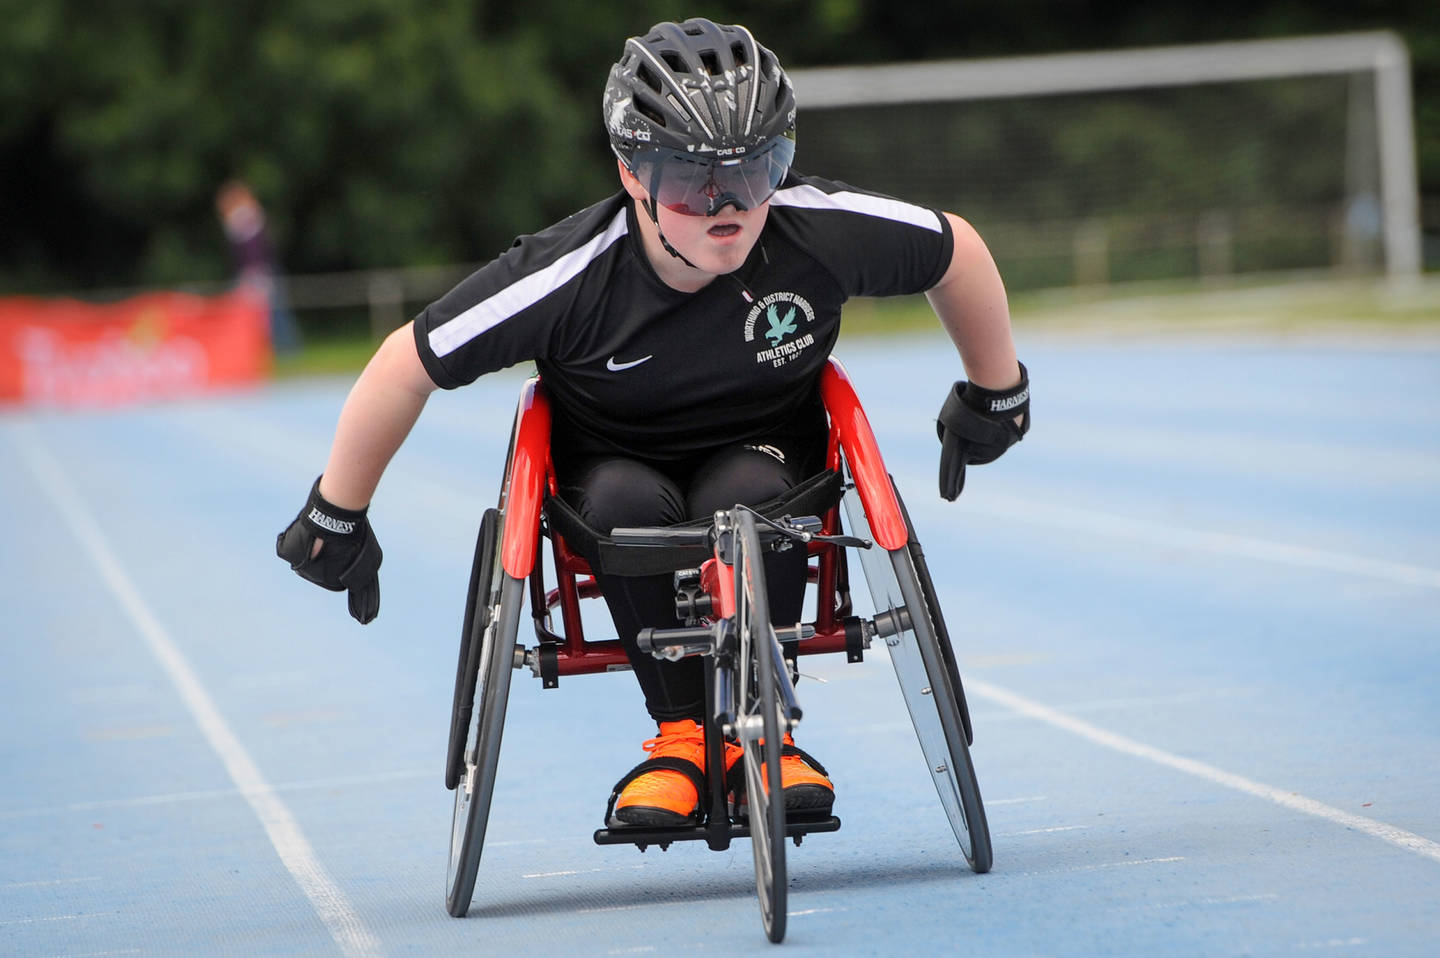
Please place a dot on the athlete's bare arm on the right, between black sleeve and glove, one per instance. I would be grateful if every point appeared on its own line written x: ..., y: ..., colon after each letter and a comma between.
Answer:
x: 973, y: 308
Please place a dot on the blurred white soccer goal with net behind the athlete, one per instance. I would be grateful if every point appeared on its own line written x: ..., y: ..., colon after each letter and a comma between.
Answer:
x: 1202, y: 161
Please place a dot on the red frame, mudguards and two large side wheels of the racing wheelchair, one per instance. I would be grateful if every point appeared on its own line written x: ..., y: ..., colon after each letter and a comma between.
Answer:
x: 509, y: 564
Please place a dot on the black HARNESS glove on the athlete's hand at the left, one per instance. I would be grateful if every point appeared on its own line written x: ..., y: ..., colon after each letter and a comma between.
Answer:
x: 349, y: 558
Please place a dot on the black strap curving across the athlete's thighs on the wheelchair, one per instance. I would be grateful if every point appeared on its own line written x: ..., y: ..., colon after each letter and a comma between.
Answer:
x: 811, y: 498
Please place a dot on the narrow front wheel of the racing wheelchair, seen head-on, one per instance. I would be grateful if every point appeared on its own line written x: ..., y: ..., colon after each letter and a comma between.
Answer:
x: 758, y: 720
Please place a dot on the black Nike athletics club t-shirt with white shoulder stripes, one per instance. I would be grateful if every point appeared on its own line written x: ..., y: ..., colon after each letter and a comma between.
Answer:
x: 640, y: 370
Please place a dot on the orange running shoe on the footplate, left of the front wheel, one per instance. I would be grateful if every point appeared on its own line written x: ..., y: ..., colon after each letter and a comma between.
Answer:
x: 666, y: 789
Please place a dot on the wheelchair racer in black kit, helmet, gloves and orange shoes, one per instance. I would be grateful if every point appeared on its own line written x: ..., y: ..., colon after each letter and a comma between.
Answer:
x: 680, y: 328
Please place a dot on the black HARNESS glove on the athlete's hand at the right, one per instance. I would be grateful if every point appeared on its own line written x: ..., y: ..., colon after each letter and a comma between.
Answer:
x: 977, y: 426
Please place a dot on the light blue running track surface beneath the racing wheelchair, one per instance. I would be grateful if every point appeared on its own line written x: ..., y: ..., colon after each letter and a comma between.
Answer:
x: 1197, y: 610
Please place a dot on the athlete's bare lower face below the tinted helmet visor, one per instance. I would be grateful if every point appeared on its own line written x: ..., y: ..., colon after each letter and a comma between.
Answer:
x: 716, y: 244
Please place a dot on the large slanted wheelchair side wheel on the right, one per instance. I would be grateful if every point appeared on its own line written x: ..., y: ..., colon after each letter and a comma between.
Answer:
x: 930, y: 682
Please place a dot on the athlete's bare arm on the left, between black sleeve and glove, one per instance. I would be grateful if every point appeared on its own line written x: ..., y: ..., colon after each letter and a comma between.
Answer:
x: 378, y: 417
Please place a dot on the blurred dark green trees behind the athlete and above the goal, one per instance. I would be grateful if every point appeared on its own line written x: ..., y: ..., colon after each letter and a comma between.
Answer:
x: 385, y: 133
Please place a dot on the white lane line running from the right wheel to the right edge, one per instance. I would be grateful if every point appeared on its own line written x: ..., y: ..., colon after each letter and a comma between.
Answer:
x: 1294, y: 802
